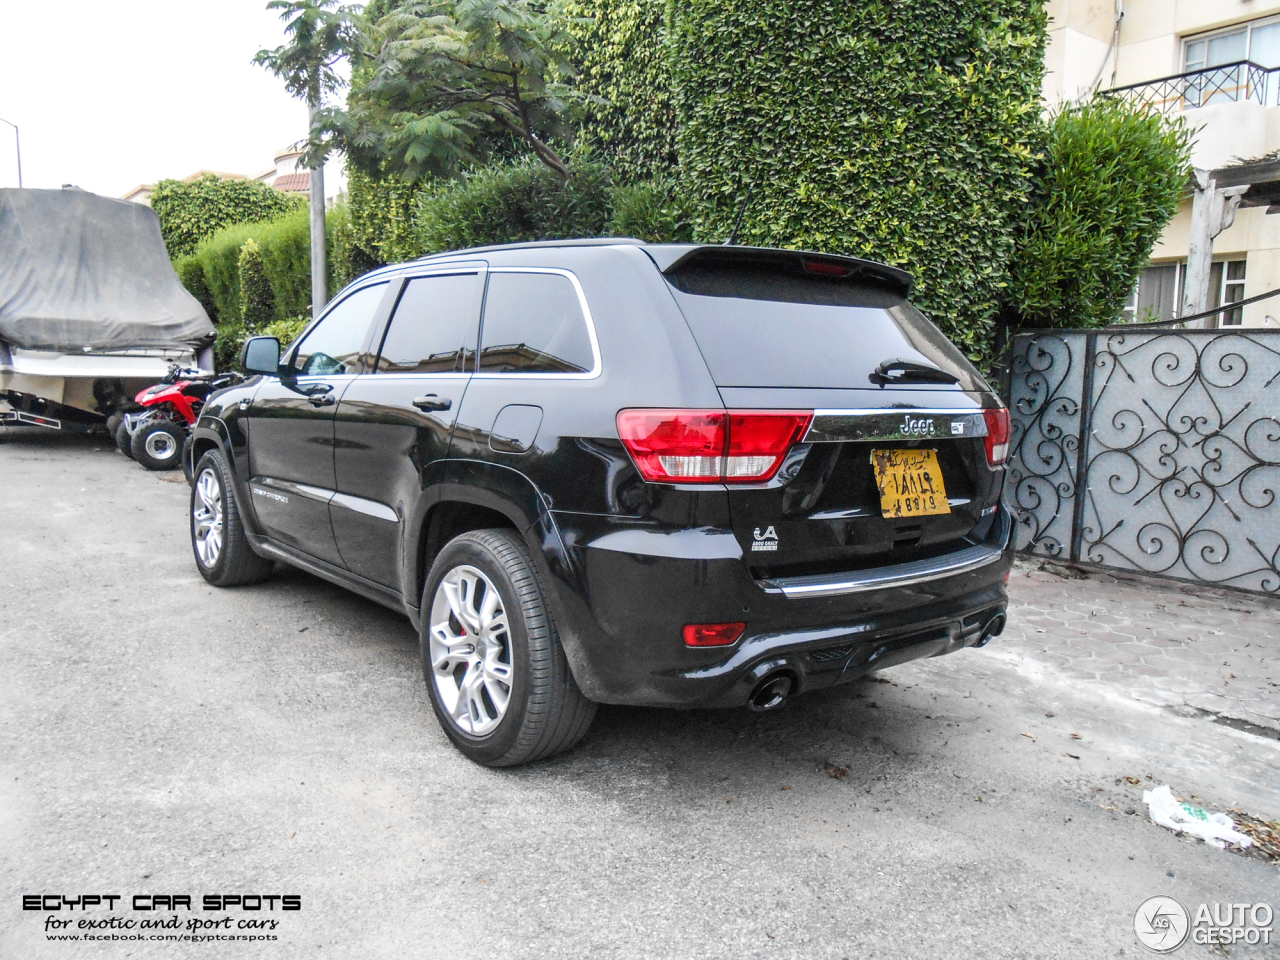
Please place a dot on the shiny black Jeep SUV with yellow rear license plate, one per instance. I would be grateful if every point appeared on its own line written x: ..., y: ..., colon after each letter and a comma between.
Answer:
x: 607, y: 472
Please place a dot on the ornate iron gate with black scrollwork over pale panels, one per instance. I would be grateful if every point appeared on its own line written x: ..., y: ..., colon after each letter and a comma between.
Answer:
x: 1154, y: 451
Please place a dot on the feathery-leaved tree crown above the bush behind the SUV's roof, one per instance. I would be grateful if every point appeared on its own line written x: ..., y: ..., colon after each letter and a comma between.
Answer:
x: 452, y: 81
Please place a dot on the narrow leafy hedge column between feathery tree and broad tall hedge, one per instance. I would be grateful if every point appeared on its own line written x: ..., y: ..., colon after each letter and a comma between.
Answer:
x: 623, y: 61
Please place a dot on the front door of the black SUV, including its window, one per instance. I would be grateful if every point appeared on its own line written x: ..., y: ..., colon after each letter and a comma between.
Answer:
x: 291, y: 426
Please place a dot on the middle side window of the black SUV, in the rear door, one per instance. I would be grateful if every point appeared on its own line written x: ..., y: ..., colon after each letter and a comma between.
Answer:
x: 435, y: 327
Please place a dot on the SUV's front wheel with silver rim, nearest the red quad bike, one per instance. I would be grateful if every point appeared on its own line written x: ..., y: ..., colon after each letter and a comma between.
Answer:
x: 218, y: 536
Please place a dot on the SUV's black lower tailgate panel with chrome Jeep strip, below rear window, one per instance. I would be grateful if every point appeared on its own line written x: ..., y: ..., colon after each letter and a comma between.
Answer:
x: 831, y: 515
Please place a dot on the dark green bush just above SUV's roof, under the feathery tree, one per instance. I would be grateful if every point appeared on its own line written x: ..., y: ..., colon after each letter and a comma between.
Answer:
x: 514, y: 203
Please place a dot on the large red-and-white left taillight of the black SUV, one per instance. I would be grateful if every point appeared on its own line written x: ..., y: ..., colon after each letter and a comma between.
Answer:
x: 711, y: 446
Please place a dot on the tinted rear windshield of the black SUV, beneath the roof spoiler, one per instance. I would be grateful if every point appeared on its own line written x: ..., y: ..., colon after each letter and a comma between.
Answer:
x: 766, y: 327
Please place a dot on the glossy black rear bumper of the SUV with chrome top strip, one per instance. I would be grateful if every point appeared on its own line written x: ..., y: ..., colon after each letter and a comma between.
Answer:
x: 625, y: 614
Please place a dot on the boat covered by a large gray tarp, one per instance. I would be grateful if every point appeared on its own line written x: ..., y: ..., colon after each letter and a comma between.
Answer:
x: 92, y: 310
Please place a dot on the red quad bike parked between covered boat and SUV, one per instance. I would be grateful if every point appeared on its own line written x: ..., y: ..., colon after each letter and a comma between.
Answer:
x: 156, y: 435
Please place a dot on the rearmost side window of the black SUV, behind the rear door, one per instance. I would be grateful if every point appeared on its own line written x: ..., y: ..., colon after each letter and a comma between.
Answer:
x: 534, y: 324
